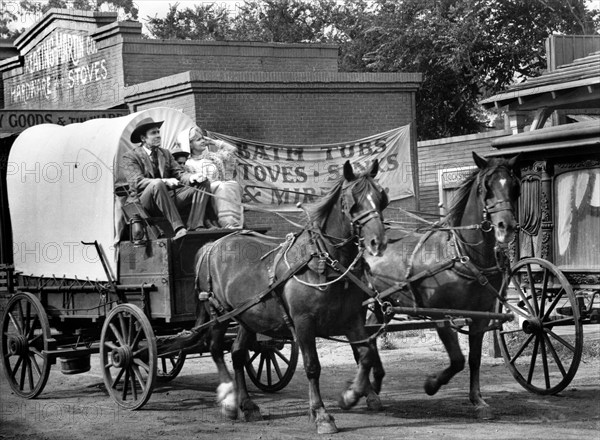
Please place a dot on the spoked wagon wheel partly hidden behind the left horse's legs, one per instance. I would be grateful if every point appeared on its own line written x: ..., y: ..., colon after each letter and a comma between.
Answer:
x: 272, y: 363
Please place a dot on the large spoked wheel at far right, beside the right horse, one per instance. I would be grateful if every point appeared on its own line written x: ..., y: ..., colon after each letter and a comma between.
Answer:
x: 542, y: 347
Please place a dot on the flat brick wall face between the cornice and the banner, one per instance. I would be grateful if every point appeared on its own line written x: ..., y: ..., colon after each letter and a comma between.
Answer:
x: 289, y: 117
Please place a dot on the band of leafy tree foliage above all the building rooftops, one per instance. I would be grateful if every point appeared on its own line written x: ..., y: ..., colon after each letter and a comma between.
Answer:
x: 465, y: 49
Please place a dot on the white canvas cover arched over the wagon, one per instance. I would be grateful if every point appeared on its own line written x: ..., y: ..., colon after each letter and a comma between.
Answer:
x: 61, y: 192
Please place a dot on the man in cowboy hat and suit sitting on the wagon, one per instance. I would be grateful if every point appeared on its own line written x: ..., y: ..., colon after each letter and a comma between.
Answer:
x: 159, y: 182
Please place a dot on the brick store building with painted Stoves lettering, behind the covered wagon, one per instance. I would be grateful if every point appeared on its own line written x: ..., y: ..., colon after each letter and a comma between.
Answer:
x: 79, y: 61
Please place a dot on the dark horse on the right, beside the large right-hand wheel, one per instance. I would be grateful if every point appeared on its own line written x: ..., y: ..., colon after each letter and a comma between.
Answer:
x: 488, y: 198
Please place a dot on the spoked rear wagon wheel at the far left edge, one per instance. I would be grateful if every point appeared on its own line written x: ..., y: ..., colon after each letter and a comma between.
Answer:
x: 25, y: 334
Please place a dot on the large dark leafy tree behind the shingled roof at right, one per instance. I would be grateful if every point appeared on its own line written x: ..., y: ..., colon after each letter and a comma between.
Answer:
x: 466, y: 49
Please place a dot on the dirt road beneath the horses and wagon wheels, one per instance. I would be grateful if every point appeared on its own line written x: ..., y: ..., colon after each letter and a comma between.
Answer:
x: 75, y: 407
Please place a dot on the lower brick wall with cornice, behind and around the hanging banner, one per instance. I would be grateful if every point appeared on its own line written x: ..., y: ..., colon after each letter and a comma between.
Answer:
x: 288, y: 108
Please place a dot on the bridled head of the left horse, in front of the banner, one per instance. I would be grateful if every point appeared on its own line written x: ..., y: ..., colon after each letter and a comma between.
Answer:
x: 362, y: 201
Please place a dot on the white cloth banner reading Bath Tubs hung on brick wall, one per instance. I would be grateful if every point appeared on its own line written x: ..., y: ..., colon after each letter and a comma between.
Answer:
x: 283, y: 175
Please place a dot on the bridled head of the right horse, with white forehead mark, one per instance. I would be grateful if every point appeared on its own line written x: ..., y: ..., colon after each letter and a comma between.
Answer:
x: 499, y: 188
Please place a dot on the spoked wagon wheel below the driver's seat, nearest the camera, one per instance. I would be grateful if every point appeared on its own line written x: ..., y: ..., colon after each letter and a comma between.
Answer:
x: 128, y: 356
